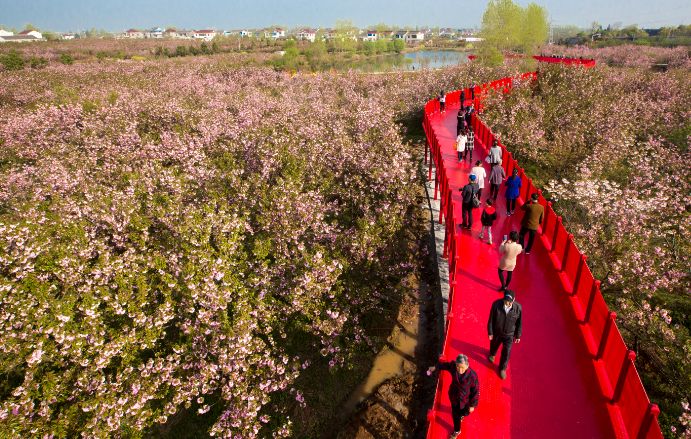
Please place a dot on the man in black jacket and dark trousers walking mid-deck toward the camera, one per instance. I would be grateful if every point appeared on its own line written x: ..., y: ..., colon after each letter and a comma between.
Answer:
x: 504, y: 328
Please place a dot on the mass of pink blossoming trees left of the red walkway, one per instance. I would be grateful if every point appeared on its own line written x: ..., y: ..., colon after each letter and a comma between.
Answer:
x: 169, y: 231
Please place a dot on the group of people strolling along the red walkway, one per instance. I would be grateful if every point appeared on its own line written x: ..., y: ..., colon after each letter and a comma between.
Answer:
x: 504, y: 325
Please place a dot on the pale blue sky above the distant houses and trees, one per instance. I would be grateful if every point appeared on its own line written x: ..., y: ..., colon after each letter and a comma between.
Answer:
x: 119, y: 15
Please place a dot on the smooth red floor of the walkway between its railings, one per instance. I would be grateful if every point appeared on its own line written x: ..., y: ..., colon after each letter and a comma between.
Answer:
x: 551, y: 389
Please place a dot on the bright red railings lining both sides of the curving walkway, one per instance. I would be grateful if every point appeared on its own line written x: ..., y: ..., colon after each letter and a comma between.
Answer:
x: 613, y: 361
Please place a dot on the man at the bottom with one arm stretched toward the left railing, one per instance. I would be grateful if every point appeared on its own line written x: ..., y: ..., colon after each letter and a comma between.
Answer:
x: 464, y: 390
